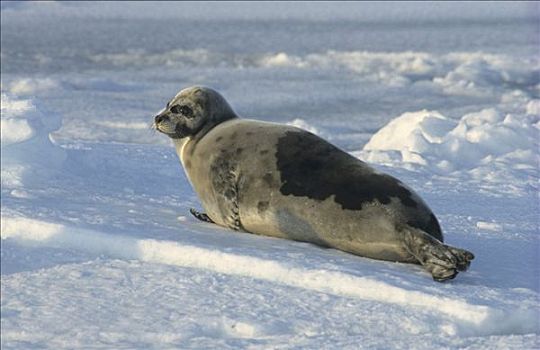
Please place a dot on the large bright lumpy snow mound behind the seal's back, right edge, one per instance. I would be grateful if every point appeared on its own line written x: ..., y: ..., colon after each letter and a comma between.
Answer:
x: 487, y: 145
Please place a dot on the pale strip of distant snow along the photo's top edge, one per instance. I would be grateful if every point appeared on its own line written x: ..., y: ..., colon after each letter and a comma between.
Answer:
x: 316, y: 11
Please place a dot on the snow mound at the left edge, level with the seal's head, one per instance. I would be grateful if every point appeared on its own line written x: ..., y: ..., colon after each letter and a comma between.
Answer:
x: 27, y: 149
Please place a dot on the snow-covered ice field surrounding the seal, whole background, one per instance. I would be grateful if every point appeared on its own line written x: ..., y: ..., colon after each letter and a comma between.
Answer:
x: 98, y: 249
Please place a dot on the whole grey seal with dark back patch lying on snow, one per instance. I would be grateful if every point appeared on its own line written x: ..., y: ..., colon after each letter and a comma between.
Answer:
x: 282, y: 181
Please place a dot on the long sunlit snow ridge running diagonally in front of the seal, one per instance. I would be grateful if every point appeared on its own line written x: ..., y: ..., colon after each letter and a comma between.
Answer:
x: 336, y: 283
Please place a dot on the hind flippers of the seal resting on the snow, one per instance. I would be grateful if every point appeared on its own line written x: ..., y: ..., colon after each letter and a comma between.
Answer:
x: 441, y: 260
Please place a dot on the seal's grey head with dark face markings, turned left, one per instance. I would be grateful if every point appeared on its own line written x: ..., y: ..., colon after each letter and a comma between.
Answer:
x: 192, y: 113
